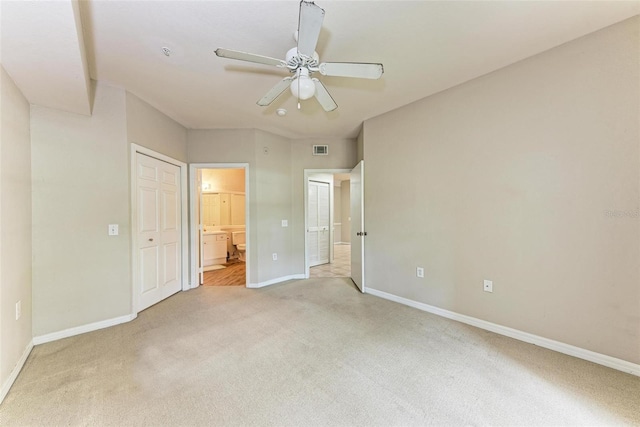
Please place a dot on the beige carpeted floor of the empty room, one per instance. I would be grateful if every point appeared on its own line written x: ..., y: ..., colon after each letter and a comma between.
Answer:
x: 308, y: 353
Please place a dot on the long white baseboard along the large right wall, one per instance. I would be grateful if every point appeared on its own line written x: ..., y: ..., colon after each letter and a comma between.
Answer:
x: 581, y: 353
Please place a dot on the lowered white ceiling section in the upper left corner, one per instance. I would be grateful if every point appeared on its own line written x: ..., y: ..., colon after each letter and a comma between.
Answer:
x: 43, y: 50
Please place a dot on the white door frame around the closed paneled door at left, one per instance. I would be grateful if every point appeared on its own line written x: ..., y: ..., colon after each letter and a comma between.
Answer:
x: 184, y: 223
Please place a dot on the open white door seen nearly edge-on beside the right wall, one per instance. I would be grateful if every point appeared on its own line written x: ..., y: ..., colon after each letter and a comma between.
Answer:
x: 357, y: 226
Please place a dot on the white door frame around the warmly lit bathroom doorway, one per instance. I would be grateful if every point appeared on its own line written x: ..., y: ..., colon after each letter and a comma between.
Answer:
x: 193, y: 229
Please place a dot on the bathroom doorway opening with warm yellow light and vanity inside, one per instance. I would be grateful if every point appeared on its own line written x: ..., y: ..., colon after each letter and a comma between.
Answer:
x: 219, y: 225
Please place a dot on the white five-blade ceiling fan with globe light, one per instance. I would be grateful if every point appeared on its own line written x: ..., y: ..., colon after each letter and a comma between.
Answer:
x: 302, y: 61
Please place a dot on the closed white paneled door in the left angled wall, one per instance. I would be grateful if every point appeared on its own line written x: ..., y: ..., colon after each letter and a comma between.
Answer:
x: 159, y: 230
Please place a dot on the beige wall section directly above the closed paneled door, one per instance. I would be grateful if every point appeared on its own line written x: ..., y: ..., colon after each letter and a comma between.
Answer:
x: 150, y: 128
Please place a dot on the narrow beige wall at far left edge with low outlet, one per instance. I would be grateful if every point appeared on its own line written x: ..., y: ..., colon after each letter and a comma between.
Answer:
x: 15, y: 225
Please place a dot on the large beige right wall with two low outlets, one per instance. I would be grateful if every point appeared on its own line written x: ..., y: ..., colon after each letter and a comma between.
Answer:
x: 528, y: 176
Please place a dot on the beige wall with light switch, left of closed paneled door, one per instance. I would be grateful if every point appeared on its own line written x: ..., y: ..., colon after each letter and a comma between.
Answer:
x: 80, y: 185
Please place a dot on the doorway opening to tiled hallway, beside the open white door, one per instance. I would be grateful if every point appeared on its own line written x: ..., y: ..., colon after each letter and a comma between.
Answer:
x: 336, y: 231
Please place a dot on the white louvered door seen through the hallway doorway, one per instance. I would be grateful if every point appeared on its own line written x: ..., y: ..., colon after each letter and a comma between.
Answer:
x: 318, y: 223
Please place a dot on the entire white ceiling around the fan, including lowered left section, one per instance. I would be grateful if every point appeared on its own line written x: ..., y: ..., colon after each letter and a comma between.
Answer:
x: 425, y: 46
